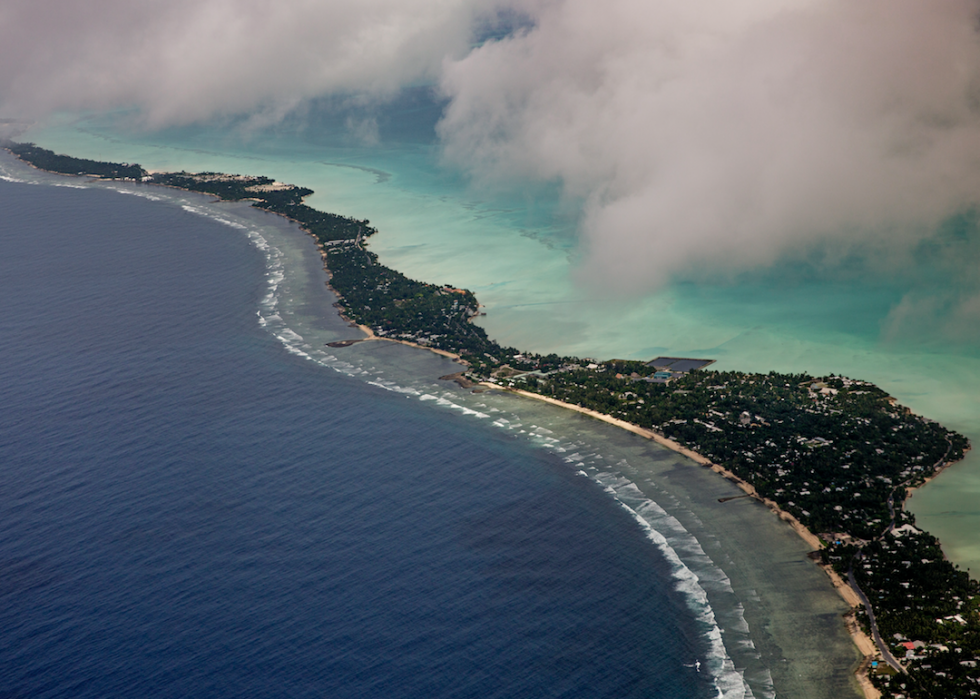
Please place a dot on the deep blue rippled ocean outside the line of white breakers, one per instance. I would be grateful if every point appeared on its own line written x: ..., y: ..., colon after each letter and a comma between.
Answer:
x: 187, y: 509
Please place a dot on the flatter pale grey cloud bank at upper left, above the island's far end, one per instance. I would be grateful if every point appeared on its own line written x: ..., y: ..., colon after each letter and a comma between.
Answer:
x: 186, y: 60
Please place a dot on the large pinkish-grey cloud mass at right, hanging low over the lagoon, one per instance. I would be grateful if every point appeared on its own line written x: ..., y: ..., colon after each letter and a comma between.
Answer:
x: 718, y: 136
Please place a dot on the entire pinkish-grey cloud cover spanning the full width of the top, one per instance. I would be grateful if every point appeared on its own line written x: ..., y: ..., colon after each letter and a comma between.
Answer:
x: 702, y: 135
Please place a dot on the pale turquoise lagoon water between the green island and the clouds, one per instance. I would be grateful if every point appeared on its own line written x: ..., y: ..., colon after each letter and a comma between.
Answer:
x: 517, y: 251
